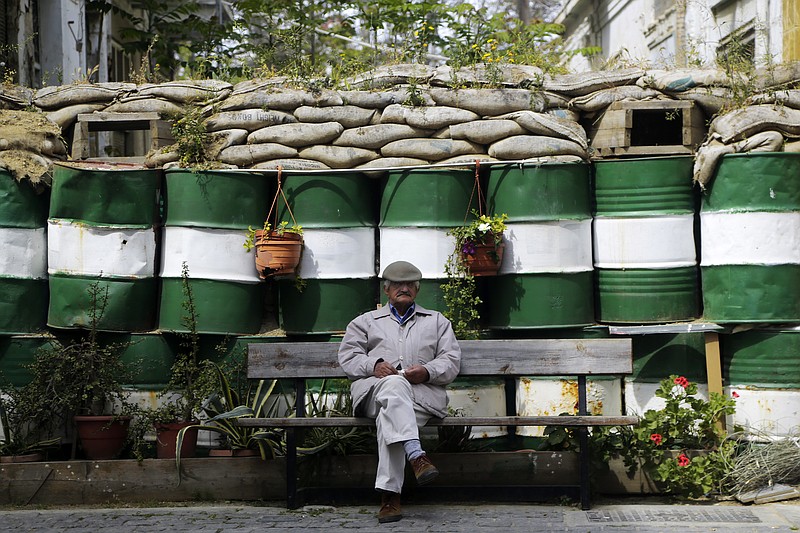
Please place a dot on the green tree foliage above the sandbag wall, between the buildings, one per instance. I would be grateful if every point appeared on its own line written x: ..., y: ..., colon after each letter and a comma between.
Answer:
x: 332, y: 38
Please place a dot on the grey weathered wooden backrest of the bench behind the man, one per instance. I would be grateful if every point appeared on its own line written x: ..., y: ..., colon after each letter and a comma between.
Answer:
x: 517, y: 357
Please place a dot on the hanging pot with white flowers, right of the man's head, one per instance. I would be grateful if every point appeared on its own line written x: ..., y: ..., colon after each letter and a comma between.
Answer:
x: 479, y: 245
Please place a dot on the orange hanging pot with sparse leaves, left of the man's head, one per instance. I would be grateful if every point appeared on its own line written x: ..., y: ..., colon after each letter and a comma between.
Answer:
x: 277, y: 249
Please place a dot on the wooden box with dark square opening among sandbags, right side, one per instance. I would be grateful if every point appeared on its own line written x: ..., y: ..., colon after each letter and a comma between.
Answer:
x: 657, y: 127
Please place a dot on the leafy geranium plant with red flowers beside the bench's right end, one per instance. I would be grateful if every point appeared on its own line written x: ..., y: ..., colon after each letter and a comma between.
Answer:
x: 682, y: 446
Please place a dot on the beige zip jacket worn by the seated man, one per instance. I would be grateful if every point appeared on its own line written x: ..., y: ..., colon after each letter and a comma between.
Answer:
x: 426, y: 339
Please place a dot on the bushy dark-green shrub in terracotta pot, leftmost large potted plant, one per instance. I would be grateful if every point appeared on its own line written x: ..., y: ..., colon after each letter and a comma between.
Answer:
x: 79, y: 385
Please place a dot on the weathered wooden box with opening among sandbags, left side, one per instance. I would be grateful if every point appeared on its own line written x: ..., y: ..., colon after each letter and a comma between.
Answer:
x: 159, y: 129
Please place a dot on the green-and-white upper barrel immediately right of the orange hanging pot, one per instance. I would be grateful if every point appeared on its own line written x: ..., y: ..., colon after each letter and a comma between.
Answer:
x: 337, y: 266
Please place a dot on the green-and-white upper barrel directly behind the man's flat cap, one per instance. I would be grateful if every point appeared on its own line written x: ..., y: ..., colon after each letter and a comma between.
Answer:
x: 417, y: 208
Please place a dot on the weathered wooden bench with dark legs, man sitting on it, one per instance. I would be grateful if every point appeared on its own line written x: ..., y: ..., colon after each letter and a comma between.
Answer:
x: 509, y: 359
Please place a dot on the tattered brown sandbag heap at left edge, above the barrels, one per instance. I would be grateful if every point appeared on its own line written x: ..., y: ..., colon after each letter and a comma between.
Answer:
x: 29, y: 142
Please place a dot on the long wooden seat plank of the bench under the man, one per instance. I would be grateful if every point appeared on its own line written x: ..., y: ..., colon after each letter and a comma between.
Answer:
x: 345, y: 421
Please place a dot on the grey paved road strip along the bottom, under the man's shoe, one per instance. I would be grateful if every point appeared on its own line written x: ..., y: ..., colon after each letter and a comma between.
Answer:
x: 455, y: 518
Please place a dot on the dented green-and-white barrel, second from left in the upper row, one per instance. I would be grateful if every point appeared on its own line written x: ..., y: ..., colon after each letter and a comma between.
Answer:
x: 101, y: 234
